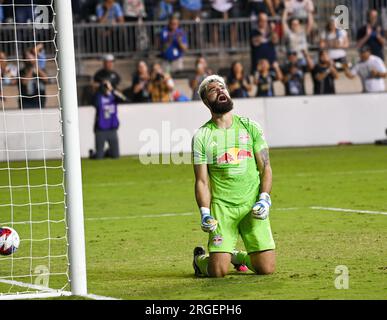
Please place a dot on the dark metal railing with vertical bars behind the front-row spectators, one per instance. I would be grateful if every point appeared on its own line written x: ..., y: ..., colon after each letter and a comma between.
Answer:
x: 132, y: 39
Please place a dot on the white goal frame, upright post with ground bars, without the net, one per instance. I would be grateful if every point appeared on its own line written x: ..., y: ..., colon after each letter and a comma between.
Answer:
x: 72, y: 165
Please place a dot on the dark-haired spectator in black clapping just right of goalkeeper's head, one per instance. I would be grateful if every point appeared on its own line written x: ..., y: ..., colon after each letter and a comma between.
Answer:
x: 238, y: 83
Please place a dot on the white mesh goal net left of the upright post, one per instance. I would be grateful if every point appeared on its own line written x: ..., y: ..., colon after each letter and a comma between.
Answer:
x: 33, y: 194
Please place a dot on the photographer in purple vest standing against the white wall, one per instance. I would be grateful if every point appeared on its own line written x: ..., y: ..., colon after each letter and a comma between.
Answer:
x: 106, y: 121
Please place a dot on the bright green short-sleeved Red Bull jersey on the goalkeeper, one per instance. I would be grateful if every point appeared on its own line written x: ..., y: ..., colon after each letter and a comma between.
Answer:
x: 229, y: 155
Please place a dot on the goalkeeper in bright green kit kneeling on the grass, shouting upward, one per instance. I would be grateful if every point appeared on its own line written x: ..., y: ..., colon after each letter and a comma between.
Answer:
x: 233, y: 180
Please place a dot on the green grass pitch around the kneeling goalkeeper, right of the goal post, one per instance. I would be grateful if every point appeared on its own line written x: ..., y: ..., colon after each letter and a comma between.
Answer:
x: 135, y: 250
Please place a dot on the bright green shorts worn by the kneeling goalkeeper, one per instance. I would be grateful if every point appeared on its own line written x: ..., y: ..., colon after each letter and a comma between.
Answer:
x: 232, y: 221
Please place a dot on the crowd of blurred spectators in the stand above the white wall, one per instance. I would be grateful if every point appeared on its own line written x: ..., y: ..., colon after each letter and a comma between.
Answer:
x: 153, y: 81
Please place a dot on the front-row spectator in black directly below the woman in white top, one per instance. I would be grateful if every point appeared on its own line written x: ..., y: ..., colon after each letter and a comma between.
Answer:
x: 323, y: 73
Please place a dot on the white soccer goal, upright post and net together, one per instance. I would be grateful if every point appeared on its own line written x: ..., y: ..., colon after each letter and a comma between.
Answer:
x: 40, y: 183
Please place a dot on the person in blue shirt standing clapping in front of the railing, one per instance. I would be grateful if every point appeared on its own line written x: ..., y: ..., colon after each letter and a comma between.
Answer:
x: 173, y: 45
